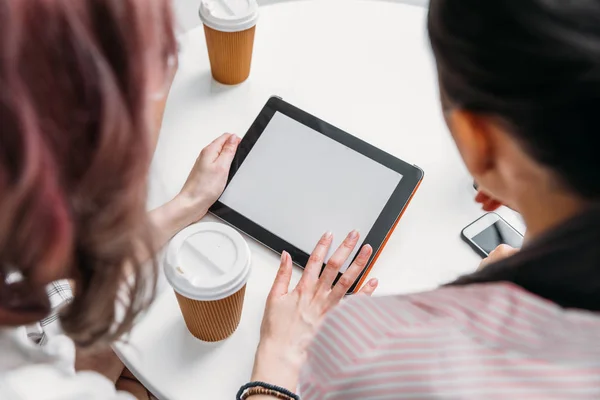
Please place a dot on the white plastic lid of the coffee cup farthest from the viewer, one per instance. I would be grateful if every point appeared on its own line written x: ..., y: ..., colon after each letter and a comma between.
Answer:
x: 229, y: 15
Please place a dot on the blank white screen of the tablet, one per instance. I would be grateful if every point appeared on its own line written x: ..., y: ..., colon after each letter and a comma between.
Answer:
x: 298, y: 184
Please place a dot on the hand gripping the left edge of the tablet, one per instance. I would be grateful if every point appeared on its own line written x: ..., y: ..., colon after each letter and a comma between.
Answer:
x: 208, y: 177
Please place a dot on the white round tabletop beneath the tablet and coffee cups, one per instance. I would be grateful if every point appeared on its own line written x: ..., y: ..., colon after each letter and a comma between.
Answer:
x: 363, y: 66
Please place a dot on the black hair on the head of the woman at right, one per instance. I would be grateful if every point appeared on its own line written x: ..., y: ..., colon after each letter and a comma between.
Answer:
x: 535, y: 66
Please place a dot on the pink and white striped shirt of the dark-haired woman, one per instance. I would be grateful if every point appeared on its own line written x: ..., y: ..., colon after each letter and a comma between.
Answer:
x: 482, y: 341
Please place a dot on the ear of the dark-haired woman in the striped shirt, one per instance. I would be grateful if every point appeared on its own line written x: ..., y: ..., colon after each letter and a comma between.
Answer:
x: 474, y: 138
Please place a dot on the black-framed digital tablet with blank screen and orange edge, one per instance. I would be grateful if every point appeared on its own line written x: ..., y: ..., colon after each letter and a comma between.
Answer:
x: 295, y: 177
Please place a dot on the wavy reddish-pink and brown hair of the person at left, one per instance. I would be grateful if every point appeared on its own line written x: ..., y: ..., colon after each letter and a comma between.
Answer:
x: 75, y: 150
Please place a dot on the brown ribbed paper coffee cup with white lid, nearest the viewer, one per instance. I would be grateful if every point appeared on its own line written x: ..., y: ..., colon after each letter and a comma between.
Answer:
x: 208, y: 265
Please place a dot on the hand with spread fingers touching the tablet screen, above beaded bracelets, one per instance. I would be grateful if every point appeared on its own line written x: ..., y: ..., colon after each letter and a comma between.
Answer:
x: 292, y: 318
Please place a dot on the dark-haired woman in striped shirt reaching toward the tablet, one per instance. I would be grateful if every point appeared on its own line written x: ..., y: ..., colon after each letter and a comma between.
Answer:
x: 520, y: 89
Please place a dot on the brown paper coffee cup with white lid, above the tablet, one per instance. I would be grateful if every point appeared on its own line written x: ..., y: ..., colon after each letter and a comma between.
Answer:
x: 229, y: 27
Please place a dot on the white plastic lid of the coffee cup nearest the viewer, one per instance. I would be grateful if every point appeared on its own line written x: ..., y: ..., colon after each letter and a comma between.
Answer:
x: 207, y: 261
